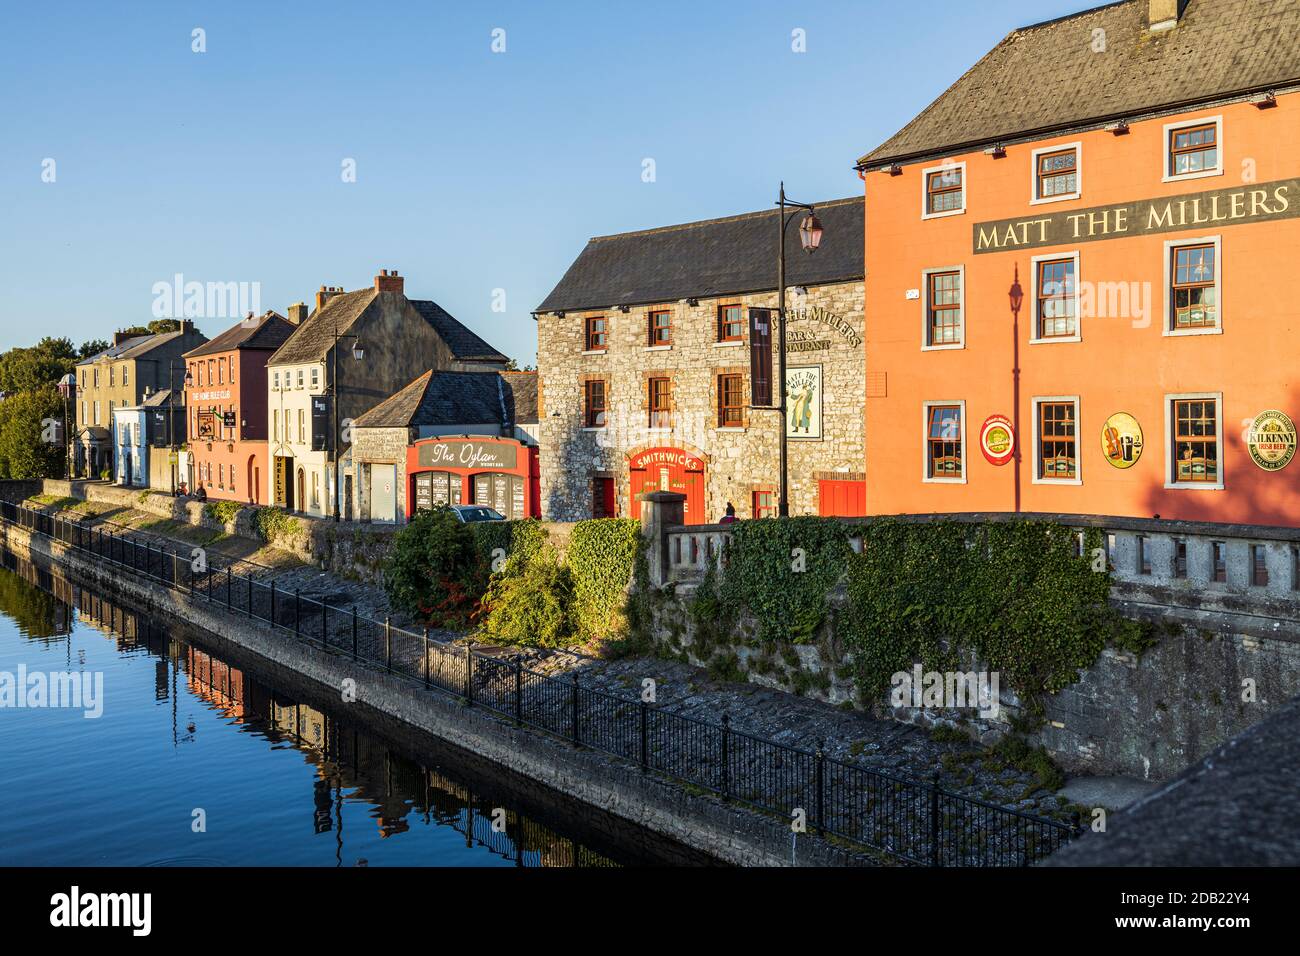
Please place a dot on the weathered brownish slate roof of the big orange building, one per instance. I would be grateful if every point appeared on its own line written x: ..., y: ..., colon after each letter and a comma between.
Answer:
x: 1047, y: 77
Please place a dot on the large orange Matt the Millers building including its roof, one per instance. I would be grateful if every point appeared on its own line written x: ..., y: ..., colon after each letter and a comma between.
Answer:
x: 1078, y: 262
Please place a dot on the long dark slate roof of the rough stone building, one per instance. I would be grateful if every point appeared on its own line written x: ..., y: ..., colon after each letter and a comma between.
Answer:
x: 718, y: 257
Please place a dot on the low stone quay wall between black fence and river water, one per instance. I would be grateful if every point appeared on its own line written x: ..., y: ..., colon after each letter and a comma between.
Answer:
x: 723, y: 830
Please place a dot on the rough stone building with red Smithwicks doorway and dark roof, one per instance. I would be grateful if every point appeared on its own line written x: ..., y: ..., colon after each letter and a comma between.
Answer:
x: 657, y: 326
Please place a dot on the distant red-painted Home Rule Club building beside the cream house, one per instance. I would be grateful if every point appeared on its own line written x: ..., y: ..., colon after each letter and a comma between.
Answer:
x: 226, y: 404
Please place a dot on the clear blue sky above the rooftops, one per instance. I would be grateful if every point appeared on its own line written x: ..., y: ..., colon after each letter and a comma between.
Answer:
x: 475, y: 171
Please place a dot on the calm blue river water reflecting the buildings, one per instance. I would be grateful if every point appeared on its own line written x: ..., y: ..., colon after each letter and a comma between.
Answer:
x: 365, y: 791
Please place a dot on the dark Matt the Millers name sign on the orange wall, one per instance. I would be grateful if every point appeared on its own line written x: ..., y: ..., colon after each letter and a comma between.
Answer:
x: 1221, y: 207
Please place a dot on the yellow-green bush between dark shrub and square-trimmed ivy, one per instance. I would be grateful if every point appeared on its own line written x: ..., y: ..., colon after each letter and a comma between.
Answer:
x: 532, y: 607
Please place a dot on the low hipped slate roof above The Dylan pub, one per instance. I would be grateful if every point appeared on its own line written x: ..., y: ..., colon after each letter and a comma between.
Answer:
x: 448, y: 399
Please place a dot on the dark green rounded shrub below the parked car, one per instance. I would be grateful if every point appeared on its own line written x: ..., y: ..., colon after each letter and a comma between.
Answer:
x: 436, y: 569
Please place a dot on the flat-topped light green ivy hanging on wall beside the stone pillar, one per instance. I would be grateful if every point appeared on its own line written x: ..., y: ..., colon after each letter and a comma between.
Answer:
x: 601, y: 557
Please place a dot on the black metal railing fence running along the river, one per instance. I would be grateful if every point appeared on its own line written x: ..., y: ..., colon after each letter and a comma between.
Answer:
x: 912, y: 821
